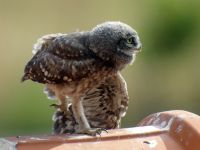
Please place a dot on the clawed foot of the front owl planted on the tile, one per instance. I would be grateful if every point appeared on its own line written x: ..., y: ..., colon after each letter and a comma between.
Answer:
x: 92, y: 131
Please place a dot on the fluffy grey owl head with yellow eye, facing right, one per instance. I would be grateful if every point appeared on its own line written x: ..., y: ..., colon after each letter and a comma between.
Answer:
x: 115, y: 42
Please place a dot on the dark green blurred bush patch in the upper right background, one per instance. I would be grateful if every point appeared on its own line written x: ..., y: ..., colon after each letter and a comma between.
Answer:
x: 173, y: 27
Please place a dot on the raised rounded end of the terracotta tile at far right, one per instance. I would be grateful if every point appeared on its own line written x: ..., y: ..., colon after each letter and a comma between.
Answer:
x: 183, y: 126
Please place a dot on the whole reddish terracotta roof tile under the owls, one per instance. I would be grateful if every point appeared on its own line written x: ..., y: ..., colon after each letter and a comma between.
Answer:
x: 173, y: 130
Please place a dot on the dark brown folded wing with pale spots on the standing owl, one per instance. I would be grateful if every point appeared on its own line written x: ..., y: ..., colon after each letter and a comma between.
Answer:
x: 60, y: 58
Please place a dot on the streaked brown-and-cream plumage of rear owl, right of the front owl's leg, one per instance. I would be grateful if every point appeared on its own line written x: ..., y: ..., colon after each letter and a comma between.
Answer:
x: 105, y: 105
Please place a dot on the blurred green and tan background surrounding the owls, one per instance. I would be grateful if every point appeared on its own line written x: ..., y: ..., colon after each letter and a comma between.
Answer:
x: 165, y: 75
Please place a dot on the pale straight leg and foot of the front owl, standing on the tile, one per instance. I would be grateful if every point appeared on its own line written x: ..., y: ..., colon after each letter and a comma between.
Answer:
x: 84, y: 127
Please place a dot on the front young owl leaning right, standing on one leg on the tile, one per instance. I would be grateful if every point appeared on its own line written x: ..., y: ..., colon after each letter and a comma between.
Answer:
x: 72, y: 64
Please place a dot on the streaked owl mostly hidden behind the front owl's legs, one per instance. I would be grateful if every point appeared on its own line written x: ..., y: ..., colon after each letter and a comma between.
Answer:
x: 104, y: 106
